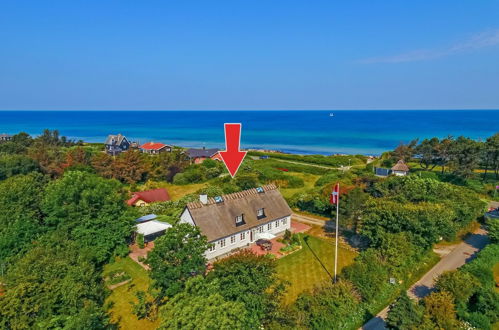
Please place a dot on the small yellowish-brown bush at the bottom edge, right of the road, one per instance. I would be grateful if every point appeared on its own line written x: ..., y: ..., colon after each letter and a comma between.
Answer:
x: 439, y: 307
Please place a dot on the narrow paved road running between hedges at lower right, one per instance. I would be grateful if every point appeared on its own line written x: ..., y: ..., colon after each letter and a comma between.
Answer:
x: 459, y: 255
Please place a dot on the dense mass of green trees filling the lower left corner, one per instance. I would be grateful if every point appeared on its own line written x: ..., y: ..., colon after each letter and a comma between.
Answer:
x: 55, y: 236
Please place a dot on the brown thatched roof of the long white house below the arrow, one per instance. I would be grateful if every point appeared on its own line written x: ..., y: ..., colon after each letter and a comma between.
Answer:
x: 217, y: 219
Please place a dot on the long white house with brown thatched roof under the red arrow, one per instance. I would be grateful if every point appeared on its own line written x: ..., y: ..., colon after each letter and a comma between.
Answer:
x: 235, y: 220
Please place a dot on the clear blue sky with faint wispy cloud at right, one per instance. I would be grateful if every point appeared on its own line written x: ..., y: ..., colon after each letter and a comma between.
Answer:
x: 268, y: 54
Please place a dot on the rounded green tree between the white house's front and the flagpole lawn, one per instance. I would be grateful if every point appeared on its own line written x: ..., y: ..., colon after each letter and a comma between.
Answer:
x: 252, y: 280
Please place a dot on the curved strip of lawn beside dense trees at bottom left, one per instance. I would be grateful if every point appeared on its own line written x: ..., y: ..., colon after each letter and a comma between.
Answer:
x: 120, y: 298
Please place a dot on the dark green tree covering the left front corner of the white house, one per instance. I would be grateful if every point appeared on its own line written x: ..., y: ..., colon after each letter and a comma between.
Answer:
x: 177, y: 256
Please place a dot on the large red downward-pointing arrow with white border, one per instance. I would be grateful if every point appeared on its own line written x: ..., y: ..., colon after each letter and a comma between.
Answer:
x: 232, y: 156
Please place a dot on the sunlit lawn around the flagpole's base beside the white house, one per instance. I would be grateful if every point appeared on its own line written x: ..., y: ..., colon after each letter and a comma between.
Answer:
x: 311, y: 265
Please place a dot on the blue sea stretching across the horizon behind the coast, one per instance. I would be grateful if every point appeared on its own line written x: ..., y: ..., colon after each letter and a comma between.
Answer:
x: 307, y: 132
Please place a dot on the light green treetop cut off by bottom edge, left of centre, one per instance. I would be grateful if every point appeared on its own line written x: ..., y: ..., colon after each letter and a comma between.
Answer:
x: 201, y: 306
